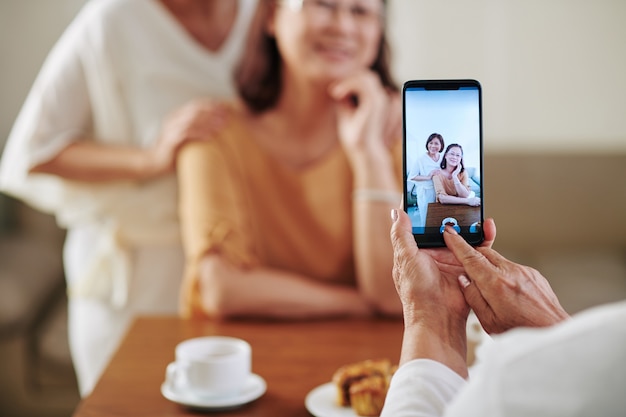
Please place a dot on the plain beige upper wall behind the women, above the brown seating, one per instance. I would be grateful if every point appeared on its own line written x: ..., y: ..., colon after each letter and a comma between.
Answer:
x: 553, y: 71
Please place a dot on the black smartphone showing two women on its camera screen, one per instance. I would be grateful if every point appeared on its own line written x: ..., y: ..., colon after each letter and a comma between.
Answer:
x: 443, y: 159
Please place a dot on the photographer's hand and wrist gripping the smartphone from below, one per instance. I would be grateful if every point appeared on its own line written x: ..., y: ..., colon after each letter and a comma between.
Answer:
x: 435, y: 311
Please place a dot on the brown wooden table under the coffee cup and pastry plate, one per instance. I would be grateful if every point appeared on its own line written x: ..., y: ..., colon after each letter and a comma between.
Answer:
x: 292, y: 357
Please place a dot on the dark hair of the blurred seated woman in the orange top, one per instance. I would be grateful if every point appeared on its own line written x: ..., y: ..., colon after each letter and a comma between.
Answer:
x: 258, y: 76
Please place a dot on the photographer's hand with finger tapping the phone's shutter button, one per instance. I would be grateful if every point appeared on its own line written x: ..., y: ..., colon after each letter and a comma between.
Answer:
x: 503, y: 294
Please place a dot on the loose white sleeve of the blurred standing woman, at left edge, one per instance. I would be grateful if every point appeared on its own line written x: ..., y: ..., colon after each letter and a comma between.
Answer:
x: 56, y: 112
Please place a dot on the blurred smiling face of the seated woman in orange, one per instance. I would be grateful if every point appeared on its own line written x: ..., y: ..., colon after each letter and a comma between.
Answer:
x: 327, y: 40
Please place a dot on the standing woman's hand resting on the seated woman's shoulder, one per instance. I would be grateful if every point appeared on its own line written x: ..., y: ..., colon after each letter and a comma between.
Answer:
x: 197, y: 120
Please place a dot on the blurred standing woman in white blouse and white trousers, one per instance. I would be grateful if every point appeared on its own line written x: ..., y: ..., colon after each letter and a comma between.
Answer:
x: 88, y: 147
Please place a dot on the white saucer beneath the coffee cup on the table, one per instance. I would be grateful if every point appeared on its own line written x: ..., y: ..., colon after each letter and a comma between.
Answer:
x: 254, y: 388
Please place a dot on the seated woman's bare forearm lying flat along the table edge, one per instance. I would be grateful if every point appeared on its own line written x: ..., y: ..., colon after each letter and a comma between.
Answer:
x: 260, y: 292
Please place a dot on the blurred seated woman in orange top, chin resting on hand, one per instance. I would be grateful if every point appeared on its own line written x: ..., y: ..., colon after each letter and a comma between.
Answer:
x: 285, y: 212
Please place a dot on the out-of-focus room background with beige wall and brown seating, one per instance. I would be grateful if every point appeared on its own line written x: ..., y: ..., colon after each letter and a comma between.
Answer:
x: 554, y: 111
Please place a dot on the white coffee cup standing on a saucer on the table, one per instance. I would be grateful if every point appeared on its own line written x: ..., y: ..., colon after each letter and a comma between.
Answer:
x: 211, y: 366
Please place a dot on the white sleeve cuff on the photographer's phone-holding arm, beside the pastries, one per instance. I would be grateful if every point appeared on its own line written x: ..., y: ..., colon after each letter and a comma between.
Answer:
x: 421, y: 388
